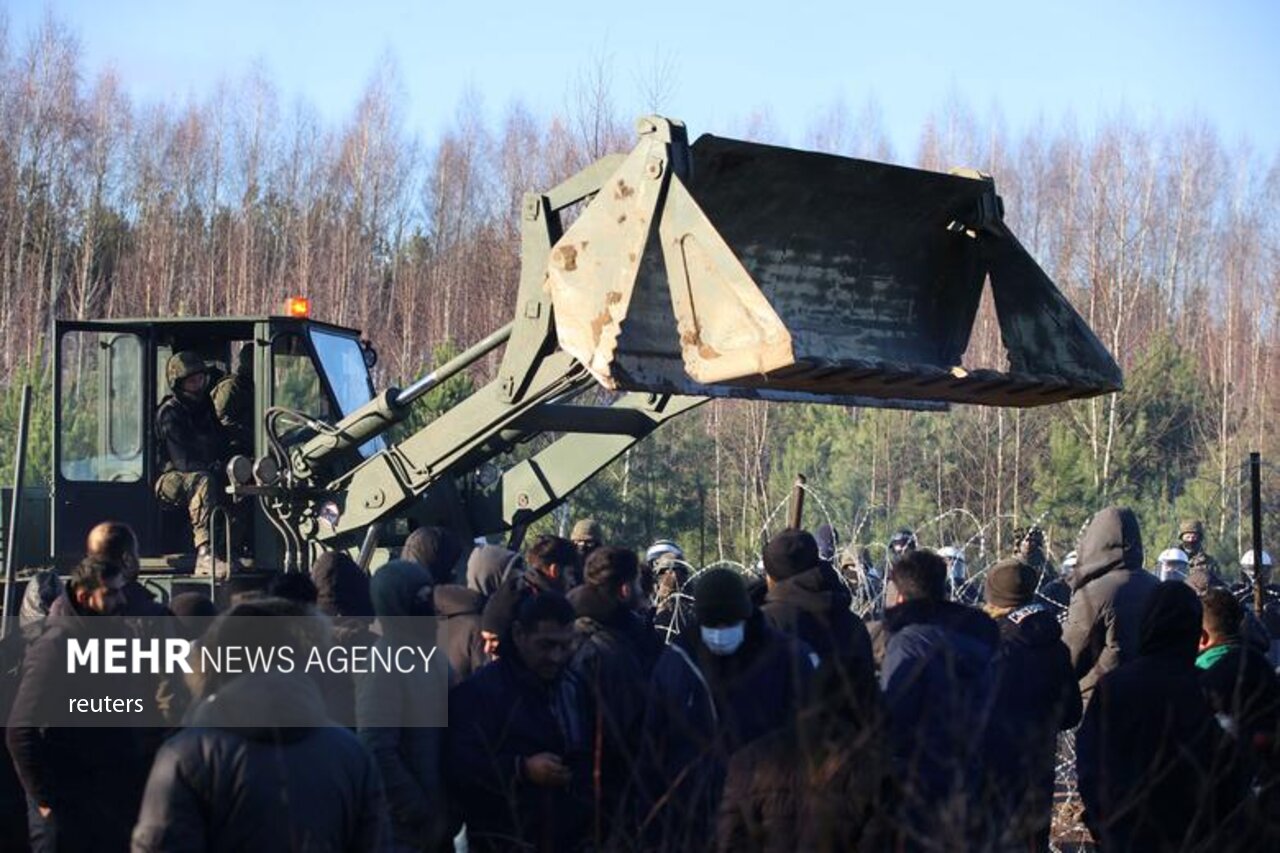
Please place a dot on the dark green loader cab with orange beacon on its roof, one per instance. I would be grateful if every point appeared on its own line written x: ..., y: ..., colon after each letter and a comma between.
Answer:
x: 111, y: 381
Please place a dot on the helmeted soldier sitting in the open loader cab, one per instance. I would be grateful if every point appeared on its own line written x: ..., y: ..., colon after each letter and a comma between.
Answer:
x: 193, y: 448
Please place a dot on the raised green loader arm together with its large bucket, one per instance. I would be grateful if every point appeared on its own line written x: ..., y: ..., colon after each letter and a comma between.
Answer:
x: 726, y: 270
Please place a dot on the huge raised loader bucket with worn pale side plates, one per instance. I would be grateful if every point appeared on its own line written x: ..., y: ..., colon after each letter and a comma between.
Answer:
x: 749, y: 271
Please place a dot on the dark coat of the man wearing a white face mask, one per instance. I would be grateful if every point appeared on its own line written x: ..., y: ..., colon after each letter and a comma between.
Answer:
x: 705, y: 708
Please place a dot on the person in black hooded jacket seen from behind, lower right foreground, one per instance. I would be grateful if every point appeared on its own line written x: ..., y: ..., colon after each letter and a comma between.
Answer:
x: 1150, y: 760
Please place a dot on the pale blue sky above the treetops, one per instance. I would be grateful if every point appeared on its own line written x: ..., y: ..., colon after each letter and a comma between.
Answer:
x: 1156, y: 61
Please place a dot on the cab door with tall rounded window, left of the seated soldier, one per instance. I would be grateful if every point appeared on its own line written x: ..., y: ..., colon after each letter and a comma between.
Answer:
x: 103, y: 467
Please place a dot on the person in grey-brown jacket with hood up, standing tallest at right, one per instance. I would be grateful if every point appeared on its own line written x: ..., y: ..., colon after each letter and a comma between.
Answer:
x: 1110, y: 590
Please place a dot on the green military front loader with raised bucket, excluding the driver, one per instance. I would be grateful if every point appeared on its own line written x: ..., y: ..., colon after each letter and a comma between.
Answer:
x: 689, y: 272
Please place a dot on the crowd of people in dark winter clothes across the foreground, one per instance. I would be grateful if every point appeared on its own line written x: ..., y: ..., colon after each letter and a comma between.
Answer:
x: 607, y: 700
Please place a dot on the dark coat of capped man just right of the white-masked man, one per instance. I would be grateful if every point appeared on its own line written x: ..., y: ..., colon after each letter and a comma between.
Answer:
x: 807, y: 606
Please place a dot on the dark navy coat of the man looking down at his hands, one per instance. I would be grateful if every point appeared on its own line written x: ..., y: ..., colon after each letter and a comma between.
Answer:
x: 497, y: 718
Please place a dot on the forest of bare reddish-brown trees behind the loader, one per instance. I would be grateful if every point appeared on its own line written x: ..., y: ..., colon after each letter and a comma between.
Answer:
x: 1165, y: 236
